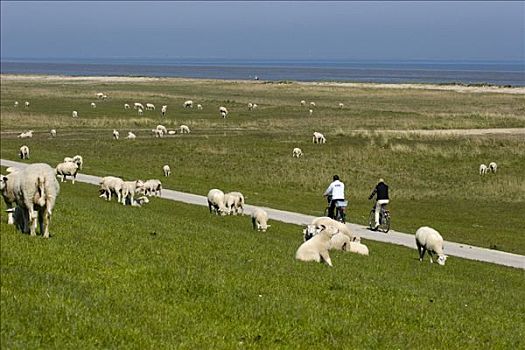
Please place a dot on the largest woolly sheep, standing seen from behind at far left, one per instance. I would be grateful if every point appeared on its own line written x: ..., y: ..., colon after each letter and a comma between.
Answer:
x: 36, y: 187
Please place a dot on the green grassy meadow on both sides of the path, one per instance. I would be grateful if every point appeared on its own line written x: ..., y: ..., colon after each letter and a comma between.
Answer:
x: 170, y: 275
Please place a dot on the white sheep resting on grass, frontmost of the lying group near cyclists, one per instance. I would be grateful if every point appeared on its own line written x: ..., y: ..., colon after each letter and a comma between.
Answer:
x: 316, y: 248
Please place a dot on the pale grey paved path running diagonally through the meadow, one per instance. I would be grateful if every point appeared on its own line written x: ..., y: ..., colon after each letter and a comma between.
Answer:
x: 453, y: 249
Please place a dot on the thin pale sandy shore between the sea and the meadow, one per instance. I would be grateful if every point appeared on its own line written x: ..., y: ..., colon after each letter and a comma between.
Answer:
x: 122, y: 79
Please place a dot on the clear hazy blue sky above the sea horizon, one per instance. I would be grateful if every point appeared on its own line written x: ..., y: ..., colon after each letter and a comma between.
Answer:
x: 346, y: 30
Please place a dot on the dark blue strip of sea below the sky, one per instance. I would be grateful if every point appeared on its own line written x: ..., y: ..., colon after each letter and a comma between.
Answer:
x: 501, y: 73
